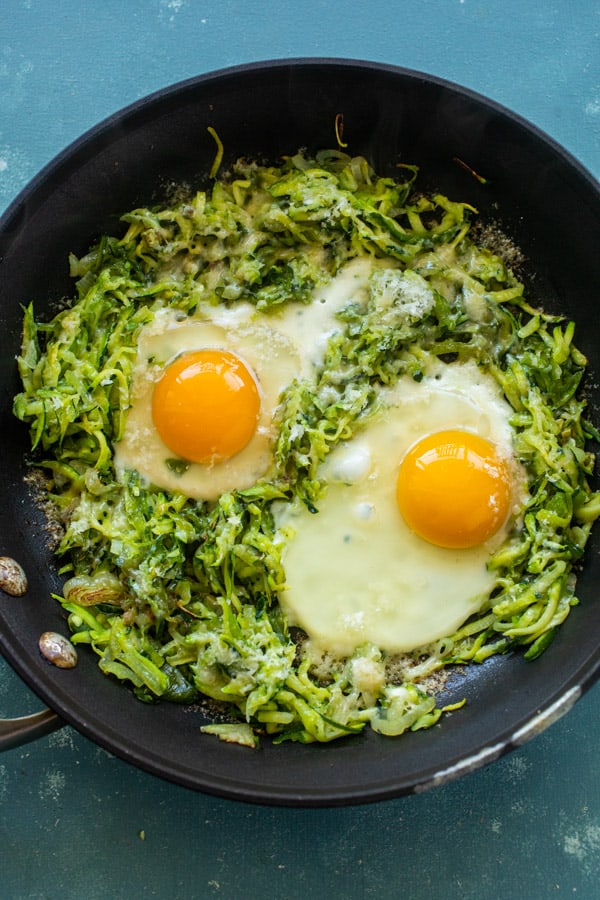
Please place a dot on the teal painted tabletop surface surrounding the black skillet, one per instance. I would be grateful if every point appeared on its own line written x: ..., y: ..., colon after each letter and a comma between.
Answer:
x: 76, y: 822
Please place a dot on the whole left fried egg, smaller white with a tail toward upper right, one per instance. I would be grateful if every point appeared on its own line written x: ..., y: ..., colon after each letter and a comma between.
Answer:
x: 205, y: 389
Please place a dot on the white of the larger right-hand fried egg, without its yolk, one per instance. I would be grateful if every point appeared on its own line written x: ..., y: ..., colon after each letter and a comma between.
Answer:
x: 355, y: 572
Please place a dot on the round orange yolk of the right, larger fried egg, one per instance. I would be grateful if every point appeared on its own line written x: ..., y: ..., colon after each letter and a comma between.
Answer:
x: 453, y: 489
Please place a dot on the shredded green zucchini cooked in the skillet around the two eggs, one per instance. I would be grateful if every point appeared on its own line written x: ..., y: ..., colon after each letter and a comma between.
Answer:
x: 179, y: 597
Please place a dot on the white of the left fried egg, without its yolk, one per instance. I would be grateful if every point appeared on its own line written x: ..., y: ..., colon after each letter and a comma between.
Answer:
x: 278, y: 346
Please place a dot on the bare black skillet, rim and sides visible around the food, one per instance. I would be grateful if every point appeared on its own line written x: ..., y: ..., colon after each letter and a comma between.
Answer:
x: 540, y: 195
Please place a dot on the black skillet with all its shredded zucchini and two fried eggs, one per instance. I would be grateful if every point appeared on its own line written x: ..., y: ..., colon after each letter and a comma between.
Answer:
x: 388, y: 181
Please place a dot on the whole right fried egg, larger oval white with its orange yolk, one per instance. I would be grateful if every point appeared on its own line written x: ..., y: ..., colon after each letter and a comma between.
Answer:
x: 415, y: 504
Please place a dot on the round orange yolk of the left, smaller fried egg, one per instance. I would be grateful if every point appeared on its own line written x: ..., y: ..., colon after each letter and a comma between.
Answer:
x: 206, y: 405
